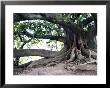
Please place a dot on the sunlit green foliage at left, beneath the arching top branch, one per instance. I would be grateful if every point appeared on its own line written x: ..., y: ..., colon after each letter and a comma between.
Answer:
x: 40, y: 27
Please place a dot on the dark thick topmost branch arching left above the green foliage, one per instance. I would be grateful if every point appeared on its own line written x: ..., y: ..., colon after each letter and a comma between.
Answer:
x: 34, y: 16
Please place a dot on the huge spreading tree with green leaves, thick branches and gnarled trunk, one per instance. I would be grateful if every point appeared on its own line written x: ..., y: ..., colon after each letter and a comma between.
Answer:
x: 78, y: 32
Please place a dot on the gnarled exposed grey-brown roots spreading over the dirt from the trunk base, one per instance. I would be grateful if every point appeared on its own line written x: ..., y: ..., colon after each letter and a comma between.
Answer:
x: 76, y: 61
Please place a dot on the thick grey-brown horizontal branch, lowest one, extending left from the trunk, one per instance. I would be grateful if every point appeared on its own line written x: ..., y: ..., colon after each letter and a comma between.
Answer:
x: 34, y: 52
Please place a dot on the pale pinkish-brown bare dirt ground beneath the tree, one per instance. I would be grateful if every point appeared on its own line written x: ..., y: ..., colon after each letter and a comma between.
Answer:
x: 60, y: 69
